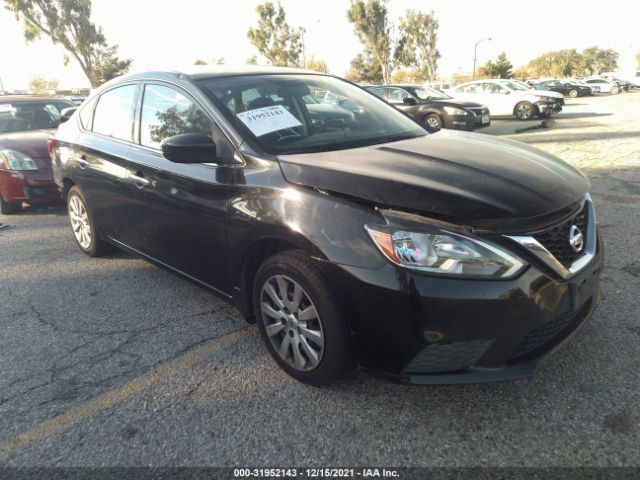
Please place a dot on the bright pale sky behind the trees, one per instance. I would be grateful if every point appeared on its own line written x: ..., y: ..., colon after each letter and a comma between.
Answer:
x: 163, y: 34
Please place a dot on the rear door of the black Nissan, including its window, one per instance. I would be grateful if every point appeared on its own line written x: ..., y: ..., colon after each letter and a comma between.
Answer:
x: 100, y: 160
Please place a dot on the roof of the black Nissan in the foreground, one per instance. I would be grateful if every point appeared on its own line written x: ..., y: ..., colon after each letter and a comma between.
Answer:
x: 211, y: 71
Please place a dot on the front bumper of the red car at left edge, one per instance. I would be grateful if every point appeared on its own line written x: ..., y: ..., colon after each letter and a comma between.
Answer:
x: 28, y: 186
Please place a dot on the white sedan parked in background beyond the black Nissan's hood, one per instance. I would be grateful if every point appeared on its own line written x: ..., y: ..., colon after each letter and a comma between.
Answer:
x: 506, y: 97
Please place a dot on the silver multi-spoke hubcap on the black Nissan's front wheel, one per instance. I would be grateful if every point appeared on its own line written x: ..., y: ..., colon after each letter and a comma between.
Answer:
x: 292, y: 323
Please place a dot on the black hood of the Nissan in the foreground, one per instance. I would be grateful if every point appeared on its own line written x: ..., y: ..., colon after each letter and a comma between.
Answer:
x: 455, y: 176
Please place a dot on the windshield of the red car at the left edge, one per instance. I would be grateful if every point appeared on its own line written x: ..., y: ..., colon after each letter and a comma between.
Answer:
x: 20, y: 116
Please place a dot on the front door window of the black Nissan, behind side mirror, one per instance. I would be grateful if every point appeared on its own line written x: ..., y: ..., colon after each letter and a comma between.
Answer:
x: 167, y: 112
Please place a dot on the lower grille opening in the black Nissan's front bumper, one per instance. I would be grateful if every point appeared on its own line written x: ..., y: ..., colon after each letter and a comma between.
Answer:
x: 537, y: 339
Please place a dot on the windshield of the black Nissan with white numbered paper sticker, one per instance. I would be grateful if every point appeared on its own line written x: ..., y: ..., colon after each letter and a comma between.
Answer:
x: 288, y: 114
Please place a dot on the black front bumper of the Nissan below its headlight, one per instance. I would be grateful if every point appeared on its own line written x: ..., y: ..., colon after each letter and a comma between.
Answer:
x: 432, y: 330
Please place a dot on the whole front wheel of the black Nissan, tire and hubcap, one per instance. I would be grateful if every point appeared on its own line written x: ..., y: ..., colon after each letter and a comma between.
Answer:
x: 322, y: 339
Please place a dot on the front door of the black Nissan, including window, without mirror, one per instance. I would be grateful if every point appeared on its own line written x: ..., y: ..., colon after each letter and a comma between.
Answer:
x: 181, y: 218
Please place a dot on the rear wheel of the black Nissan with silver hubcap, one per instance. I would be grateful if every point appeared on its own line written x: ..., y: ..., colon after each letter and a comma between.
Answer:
x: 83, y: 225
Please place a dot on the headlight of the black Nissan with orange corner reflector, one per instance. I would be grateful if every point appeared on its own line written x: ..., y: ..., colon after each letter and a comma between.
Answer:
x: 446, y: 253
